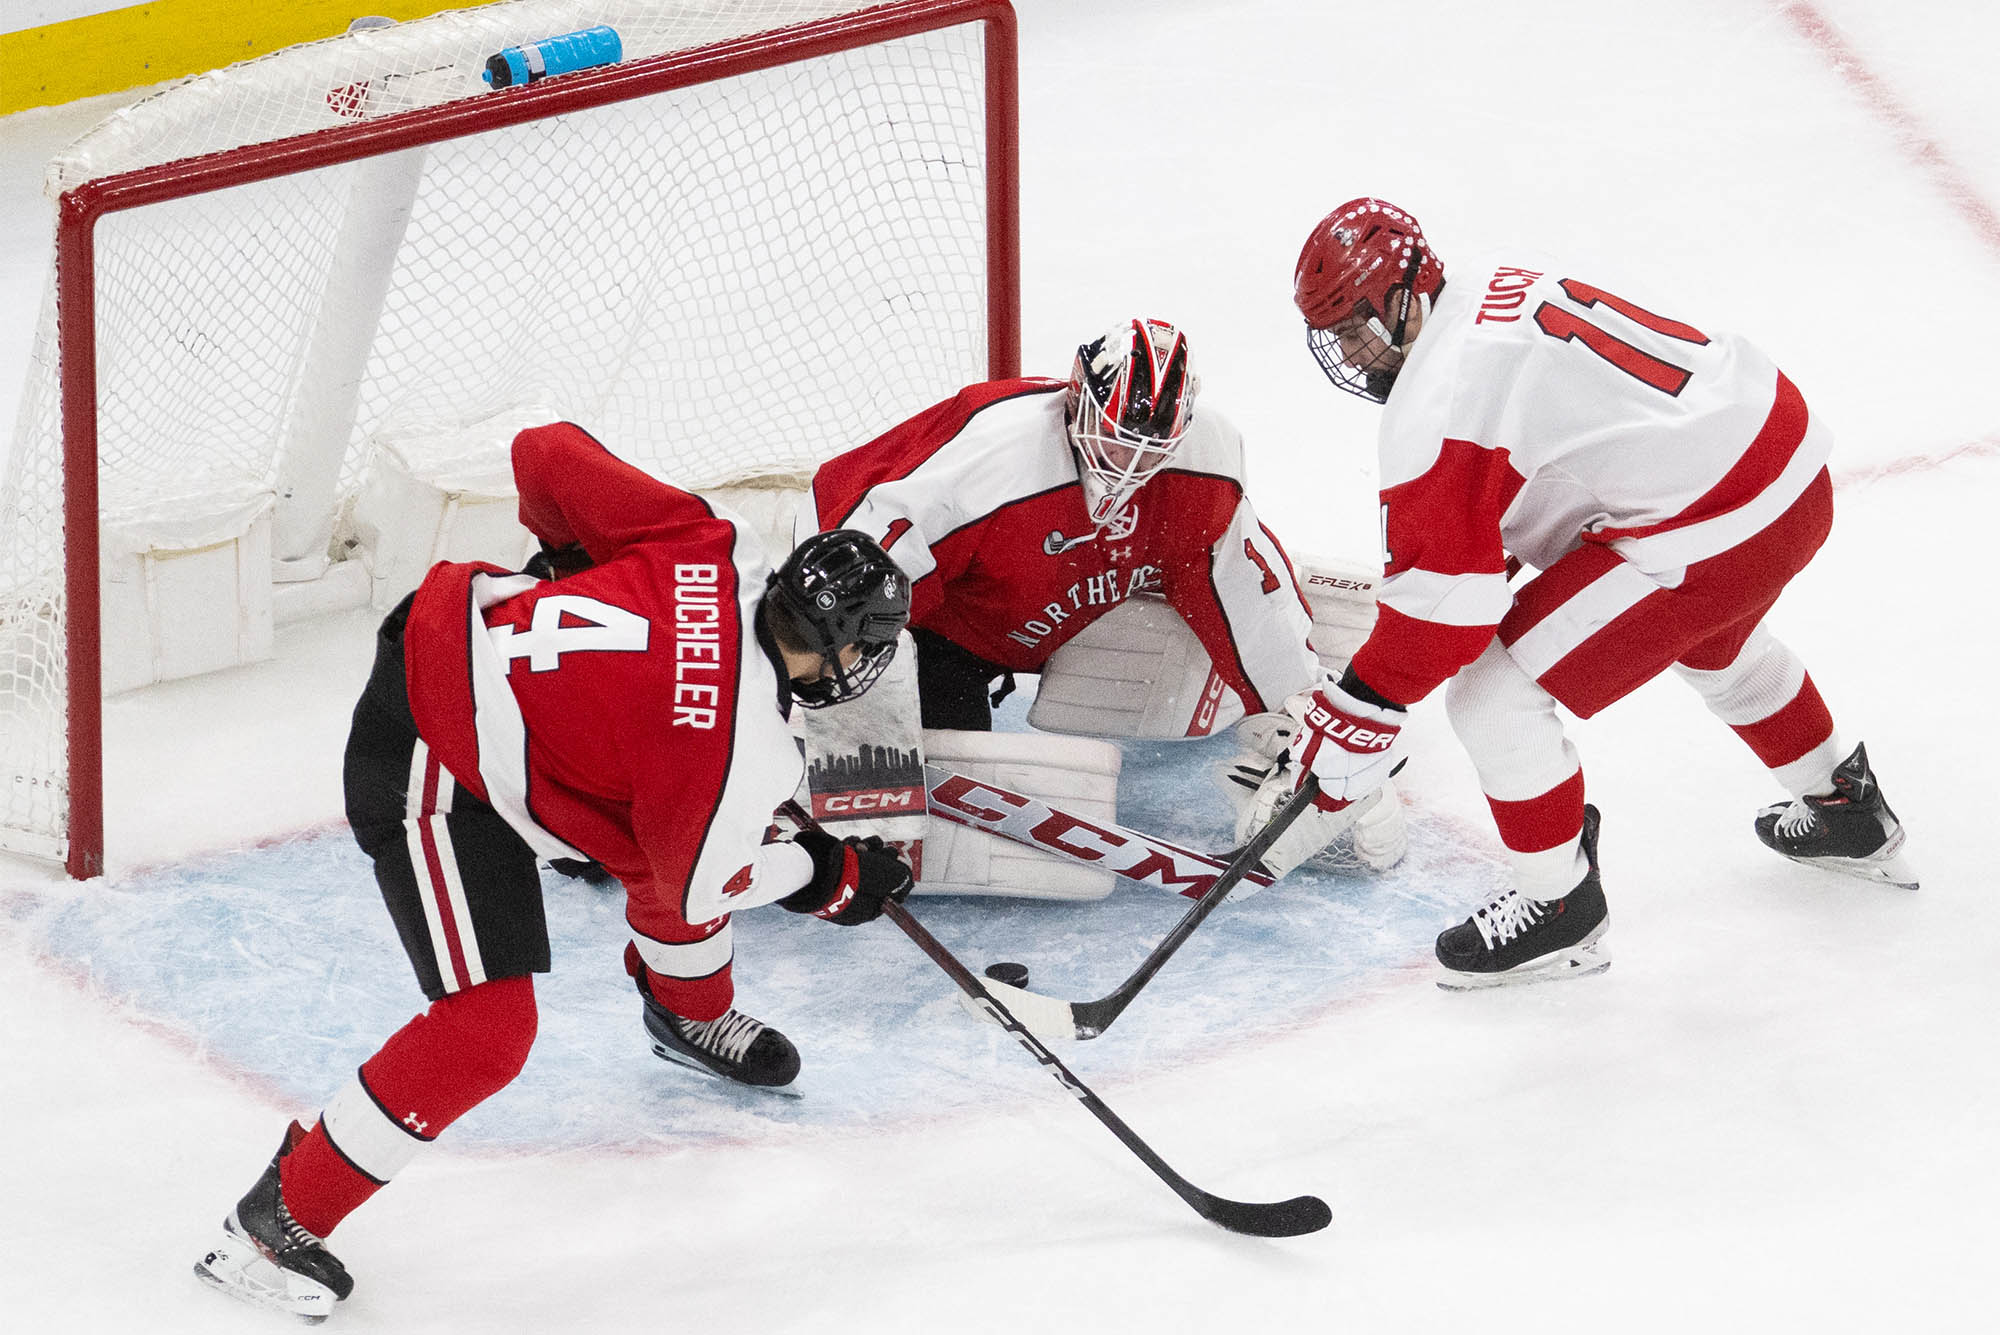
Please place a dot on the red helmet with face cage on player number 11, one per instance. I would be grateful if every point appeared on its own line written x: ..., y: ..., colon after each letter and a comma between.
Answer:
x: 1363, y: 271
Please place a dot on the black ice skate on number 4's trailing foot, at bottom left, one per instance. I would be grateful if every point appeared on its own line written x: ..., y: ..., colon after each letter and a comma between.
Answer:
x: 269, y: 1258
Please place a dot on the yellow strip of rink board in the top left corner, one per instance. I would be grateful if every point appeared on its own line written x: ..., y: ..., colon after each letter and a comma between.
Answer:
x: 169, y: 39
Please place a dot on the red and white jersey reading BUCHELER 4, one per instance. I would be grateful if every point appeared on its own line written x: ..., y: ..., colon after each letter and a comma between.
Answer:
x: 629, y: 710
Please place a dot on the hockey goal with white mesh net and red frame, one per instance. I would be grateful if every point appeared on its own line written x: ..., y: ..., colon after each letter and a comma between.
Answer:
x: 765, y: 235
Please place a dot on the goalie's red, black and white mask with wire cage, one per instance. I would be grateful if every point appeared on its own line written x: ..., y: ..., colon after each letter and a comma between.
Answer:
x: 1131, y: 403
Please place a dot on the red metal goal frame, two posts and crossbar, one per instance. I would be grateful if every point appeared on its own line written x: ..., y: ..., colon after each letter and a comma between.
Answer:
x: 81, y: 209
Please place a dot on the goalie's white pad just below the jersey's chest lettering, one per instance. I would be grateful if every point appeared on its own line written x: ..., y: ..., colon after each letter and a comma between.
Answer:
x: 1135, y: 672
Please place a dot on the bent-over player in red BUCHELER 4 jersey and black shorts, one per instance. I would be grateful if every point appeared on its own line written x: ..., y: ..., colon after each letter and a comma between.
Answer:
x: 635, y: 714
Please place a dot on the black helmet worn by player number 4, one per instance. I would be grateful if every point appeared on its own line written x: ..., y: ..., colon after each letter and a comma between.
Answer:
x: 835, y: 591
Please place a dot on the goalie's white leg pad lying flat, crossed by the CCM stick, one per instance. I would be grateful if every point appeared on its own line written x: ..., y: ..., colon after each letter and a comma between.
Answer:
x: 1075, y: 774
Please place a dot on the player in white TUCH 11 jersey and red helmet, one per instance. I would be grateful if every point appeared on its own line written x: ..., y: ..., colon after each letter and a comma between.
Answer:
x: 1665, y: 483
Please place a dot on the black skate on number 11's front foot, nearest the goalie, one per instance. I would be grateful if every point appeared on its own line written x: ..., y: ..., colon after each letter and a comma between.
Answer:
x: 1519, y: 940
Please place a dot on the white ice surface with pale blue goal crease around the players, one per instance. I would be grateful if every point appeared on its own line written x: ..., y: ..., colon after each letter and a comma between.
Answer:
x: 1777, y: 1112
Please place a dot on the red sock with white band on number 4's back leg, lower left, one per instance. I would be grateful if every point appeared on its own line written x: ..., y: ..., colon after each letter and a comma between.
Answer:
x: 427, y: 1076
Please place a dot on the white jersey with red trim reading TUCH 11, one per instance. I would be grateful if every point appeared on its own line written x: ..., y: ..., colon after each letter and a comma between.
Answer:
x: 1539, y: 413
